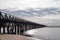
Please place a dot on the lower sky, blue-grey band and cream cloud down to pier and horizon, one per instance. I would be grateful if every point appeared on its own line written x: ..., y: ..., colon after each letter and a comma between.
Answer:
x: 48, y: 16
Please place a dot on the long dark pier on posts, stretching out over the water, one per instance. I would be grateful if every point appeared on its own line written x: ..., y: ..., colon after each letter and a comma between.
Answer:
x: 19, y: 25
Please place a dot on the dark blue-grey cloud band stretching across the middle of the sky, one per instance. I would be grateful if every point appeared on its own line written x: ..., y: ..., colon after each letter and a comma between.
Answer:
x: 38, y: 12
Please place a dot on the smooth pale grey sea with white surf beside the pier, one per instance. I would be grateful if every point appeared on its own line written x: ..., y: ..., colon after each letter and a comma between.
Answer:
x: 45, y: 33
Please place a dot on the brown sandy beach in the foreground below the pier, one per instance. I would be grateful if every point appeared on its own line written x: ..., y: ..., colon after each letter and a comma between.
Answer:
x: 13, y: 37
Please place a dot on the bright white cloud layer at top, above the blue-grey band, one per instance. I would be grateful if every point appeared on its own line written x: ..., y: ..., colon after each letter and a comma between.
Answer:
x: 24, y: 4
